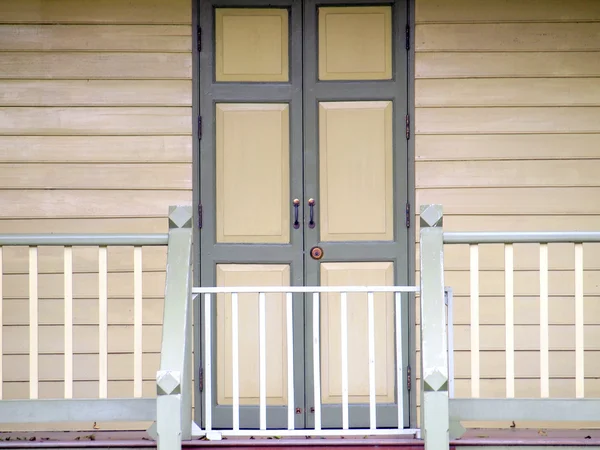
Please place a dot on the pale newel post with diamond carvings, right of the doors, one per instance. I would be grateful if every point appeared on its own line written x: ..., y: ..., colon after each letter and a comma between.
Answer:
x: 434, y: 348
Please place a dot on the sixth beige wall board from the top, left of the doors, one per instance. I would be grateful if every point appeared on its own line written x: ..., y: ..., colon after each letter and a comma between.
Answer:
x: 96, y: 149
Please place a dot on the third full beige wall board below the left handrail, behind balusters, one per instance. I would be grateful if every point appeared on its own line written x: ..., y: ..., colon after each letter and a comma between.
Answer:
x: 85, y: 311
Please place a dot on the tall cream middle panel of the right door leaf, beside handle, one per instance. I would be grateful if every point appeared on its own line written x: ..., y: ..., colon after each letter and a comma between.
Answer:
x: 356, y: 171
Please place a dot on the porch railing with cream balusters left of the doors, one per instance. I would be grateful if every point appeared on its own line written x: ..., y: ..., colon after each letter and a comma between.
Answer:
x: 68, y: 409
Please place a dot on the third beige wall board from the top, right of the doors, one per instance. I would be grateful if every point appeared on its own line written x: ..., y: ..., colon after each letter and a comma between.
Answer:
x: 506, y: 64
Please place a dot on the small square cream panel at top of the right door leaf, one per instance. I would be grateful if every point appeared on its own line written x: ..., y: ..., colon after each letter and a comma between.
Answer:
x: 355, y: 43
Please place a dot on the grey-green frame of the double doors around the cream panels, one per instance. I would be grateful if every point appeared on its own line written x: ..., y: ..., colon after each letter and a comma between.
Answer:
x: 205, y: 93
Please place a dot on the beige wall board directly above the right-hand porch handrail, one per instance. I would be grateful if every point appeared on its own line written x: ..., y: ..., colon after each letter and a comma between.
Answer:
x: 508, y: 222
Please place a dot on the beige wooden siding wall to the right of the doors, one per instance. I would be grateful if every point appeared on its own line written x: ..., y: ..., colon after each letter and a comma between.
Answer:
x: 508, y: 138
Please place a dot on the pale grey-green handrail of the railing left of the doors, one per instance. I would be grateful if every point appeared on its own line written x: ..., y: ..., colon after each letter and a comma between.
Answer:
x: 83, y: 239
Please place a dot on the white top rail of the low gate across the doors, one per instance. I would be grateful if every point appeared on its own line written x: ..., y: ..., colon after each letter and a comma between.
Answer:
x: 301, y: 289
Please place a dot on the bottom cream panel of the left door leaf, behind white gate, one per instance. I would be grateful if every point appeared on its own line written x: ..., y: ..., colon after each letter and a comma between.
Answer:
x: 252, y: 275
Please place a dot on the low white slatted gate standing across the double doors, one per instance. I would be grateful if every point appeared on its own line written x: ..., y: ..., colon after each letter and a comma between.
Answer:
x: 313, y: 294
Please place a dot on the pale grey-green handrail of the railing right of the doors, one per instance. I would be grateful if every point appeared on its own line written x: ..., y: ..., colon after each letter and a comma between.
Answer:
x: 521, y: 237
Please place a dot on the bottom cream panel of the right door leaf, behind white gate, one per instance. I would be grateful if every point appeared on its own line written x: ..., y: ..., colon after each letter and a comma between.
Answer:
x: 357, y: 274
